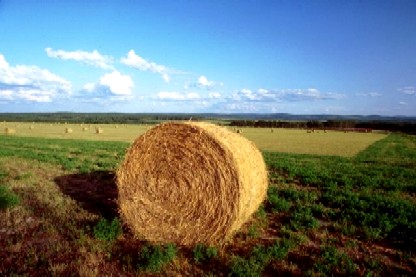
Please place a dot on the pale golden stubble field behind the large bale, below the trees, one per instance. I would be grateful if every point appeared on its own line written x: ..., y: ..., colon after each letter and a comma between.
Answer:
x: 279, y: 140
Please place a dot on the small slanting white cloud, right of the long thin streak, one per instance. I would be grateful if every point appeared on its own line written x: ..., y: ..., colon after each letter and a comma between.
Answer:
x: 137, y: 62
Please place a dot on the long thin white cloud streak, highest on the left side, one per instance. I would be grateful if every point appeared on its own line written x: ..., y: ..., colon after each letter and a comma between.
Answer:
x: 93, y: 58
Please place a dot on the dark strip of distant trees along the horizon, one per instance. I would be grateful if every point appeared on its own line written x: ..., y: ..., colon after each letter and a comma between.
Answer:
x: 405, y: 126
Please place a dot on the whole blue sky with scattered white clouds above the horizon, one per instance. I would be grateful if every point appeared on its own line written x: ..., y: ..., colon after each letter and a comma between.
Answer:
x: 300, y: 57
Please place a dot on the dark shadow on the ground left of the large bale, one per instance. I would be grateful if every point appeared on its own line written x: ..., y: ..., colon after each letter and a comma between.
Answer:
x: 96, y: 191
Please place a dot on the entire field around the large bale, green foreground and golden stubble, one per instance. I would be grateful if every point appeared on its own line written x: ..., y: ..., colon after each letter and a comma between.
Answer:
x: 338, y: 212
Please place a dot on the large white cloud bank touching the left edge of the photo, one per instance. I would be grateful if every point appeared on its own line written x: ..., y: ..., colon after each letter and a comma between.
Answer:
x: 30, y: 83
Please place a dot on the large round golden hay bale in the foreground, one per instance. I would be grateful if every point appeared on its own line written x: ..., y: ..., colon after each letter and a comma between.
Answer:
x: 190, y: 183
